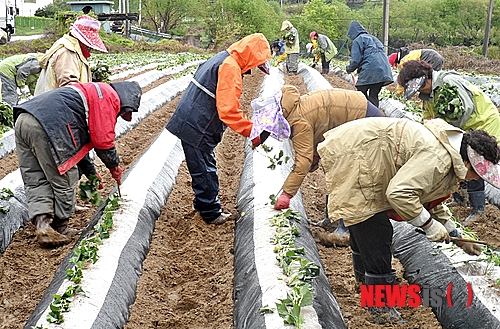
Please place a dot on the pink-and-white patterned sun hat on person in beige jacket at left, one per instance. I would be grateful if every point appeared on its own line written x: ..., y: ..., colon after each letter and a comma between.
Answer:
x: 86, y: 29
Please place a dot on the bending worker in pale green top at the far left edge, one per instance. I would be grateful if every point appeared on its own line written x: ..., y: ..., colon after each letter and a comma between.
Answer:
x: 18, y: 71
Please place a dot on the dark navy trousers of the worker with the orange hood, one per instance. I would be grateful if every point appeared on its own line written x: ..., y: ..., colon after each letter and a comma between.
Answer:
x: 205, y: 182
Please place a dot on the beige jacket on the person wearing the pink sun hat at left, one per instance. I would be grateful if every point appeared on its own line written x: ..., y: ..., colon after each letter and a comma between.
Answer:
x: 62, y: 65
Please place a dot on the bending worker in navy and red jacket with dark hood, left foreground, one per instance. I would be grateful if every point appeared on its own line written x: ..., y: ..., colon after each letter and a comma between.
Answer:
x: 54, y: 132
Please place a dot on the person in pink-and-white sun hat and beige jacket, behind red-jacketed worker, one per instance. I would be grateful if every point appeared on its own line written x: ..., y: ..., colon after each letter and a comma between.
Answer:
x: 66, y: 63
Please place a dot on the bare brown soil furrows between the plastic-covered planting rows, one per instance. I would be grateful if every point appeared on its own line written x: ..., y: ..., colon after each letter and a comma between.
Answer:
x: 187, y: 279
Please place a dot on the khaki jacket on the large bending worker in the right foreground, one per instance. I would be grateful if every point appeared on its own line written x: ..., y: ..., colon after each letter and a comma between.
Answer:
x: 376, y: 164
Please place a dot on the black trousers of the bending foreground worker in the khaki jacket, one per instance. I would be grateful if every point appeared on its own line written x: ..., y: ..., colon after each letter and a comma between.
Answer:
x: 372, y: 239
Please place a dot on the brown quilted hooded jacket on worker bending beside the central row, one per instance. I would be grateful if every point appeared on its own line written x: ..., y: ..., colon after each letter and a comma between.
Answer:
x: 310, y: 116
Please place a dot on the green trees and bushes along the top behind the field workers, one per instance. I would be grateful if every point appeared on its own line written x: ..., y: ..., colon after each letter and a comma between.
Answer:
x: 430, y: 22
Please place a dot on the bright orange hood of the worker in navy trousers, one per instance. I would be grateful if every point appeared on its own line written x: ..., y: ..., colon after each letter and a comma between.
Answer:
x: 251, y: 51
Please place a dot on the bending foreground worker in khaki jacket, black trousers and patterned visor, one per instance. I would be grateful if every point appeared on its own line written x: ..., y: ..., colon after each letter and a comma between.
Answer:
x: 382, y: 165
